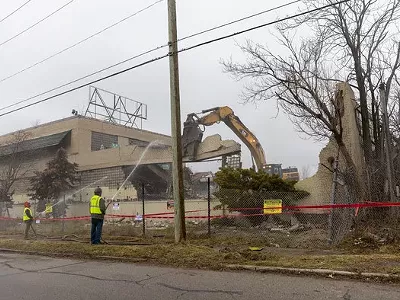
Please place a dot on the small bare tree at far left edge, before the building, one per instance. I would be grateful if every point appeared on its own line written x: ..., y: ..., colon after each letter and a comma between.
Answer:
x: 12, y: 165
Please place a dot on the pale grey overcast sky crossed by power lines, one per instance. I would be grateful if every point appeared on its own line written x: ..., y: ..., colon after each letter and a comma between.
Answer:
x: 203, y: 84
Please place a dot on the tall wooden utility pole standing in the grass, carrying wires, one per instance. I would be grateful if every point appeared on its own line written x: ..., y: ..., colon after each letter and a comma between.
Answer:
x: 177, y: 164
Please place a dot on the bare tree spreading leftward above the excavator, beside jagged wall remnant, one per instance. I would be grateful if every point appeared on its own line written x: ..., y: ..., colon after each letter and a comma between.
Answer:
x: 295, y: 82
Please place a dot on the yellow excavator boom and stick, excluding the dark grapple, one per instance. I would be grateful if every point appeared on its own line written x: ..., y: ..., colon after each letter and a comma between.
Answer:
x: 226, y: 115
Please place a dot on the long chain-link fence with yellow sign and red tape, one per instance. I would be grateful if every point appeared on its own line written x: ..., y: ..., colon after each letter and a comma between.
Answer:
x: 277, y: 219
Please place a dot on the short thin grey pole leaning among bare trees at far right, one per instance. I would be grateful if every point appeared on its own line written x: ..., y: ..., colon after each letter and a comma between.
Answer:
x: 387, y: 144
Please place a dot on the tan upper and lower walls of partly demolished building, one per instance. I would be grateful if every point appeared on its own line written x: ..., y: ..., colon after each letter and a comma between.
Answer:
x: 78, y: 147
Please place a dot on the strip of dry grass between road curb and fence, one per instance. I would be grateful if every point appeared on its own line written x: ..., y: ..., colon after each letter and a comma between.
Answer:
x: 195, y: 254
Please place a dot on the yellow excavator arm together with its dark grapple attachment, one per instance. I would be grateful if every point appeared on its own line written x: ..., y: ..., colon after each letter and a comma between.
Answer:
x: 193, y: 134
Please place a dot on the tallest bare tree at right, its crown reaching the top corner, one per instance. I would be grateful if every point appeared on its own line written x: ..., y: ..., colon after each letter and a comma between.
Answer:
x: 361, y: 37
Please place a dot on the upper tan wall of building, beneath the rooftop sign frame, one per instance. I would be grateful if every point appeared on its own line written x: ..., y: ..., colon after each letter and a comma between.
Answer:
x: 79, y: 148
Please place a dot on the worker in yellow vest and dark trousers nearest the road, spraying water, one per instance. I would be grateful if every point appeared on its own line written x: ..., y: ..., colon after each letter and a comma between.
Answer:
x: 97, y: 212
